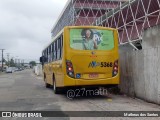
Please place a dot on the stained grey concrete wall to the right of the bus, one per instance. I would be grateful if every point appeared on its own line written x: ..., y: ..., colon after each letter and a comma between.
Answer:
x: 140, y: 70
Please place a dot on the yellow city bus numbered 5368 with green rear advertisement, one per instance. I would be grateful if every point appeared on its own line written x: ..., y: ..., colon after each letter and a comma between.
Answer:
x: 81, y: 56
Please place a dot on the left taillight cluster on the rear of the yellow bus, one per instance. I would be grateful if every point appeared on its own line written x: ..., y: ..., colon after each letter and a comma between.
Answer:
x: 70, y: 71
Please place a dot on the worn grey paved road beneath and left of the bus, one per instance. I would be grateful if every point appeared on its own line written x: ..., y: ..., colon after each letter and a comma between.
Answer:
x: 24, y: 91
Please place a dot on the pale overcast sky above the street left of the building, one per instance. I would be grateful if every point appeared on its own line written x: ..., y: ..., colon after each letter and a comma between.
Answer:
x: 25, y: 26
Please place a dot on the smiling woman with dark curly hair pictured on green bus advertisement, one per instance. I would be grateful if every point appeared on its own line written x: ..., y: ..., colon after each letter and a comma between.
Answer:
x: 89, y: 43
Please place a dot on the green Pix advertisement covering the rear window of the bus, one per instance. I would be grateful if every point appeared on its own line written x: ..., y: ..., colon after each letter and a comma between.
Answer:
x: 91, y: 39
